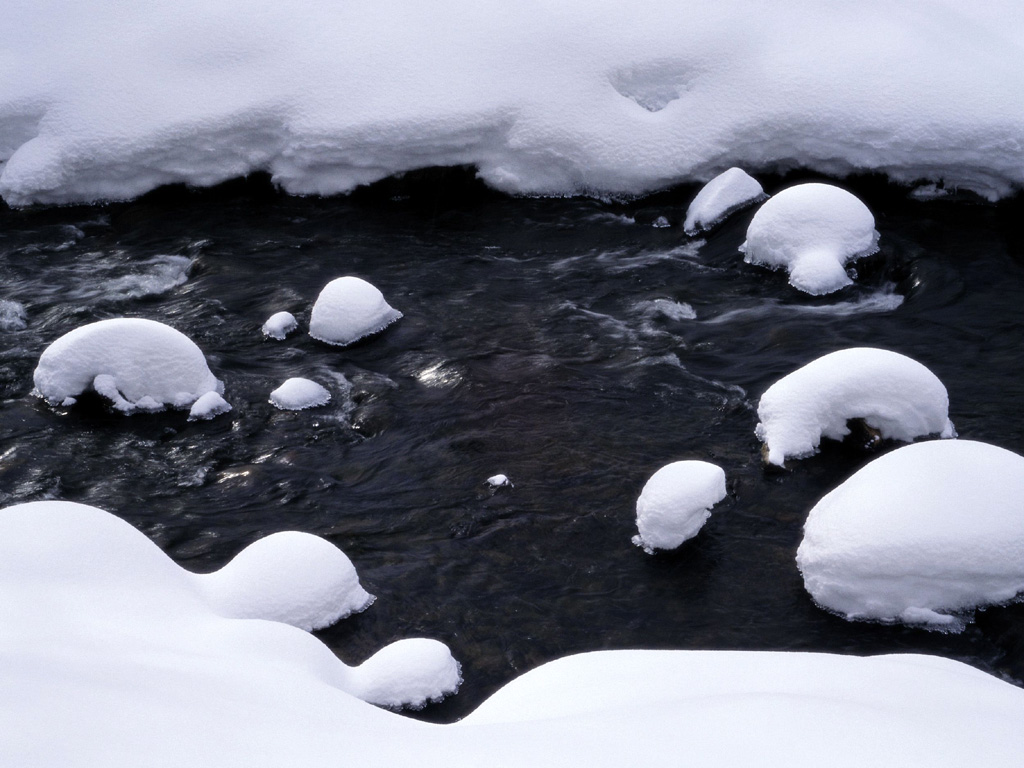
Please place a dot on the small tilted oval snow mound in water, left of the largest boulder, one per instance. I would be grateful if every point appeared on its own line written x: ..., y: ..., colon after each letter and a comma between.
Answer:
x: 676, y: 502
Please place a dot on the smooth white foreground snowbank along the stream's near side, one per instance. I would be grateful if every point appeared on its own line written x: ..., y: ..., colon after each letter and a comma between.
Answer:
x: 111, y: 656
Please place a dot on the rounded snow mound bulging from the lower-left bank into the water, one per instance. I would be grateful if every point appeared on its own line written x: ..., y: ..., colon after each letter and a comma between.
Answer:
x: 294, y: 578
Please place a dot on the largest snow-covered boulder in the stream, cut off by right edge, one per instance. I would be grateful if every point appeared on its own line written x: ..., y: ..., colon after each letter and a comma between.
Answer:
x: 921, y: 536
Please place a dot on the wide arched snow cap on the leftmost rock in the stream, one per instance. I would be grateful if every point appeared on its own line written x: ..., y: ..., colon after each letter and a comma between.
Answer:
x: 139, y: 365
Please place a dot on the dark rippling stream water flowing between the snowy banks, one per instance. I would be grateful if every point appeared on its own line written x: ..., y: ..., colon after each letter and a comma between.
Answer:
x: 553, y: 342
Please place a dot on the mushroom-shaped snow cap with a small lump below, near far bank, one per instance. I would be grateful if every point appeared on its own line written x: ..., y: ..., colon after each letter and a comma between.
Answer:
x: 813, y: 231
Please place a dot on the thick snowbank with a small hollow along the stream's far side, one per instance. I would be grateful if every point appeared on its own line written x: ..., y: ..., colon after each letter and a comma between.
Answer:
x: 103, y: 102
